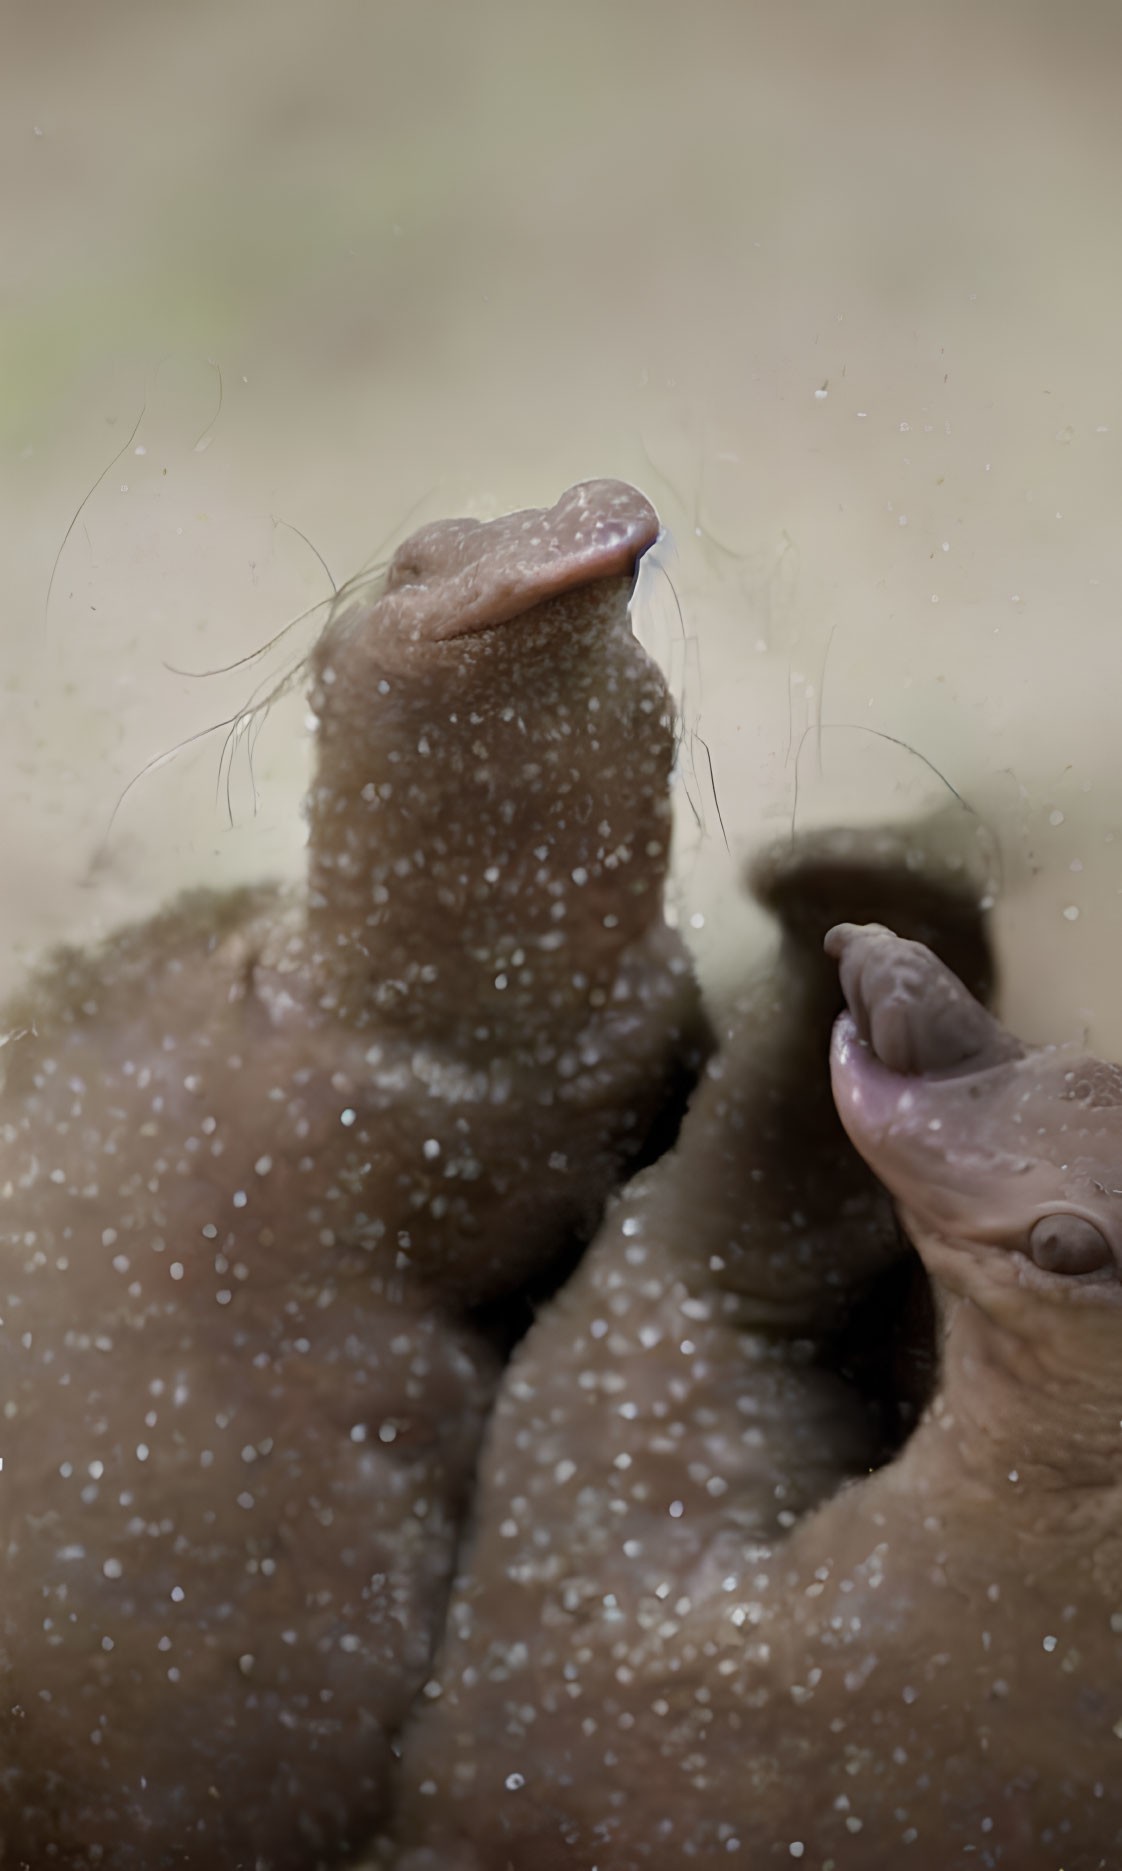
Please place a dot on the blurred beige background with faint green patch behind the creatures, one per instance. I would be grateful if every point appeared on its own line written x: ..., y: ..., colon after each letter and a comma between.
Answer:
x: 839, y: 285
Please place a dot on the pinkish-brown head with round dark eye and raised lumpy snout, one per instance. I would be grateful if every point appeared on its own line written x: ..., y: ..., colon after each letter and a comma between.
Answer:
x: 1005, y: 1161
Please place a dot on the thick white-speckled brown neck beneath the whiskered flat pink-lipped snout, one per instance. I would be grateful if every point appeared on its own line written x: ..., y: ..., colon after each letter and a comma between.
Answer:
x: 480, y: 871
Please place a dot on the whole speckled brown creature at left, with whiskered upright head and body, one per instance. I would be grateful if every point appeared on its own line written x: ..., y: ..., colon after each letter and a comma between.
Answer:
x: 265, y: 1155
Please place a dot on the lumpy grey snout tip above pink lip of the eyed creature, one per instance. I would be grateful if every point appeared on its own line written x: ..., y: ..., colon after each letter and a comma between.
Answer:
x: 910, y: 1026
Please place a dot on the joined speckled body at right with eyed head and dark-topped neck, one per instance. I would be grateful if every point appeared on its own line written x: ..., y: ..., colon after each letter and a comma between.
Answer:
x: 693, y: 1627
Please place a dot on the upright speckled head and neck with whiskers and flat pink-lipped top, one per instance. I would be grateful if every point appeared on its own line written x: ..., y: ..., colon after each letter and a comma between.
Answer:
x: 495, y: 747
